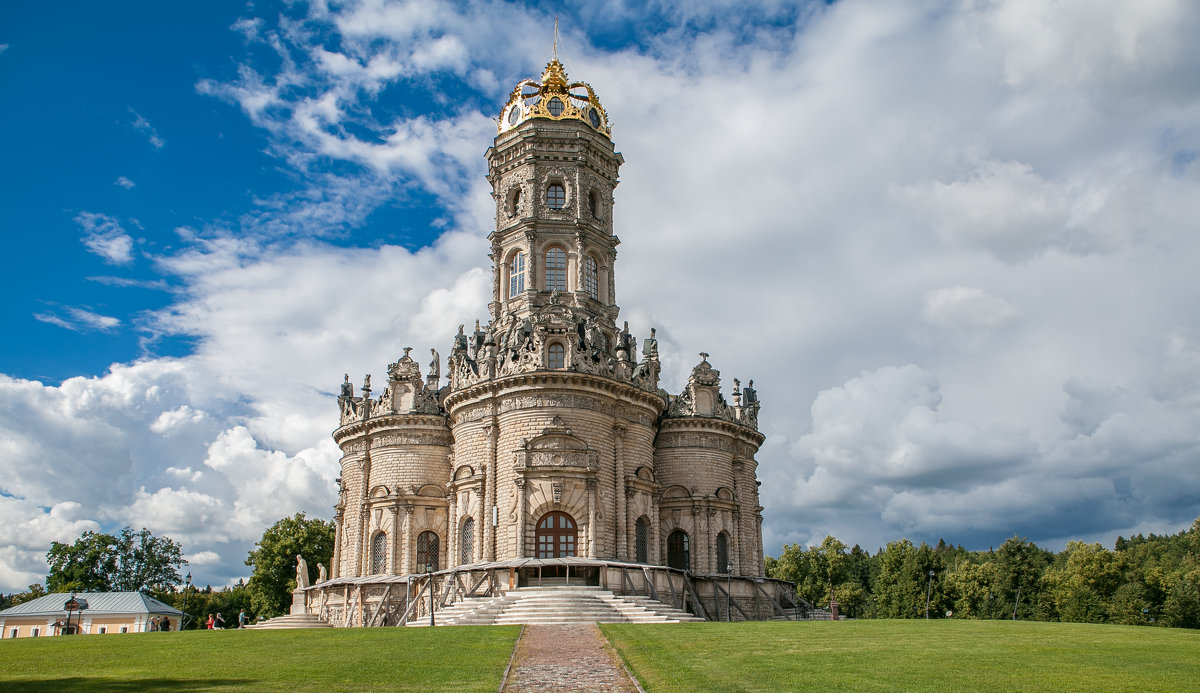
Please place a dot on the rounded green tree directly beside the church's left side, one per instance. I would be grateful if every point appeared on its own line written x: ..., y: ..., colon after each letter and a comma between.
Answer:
x: 274, y: 561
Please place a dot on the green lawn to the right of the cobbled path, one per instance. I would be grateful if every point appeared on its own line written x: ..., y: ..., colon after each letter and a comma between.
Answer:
x: 909, y: 655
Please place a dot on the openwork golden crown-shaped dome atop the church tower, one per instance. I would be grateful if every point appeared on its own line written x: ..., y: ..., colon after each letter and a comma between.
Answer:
x: 555, y: 99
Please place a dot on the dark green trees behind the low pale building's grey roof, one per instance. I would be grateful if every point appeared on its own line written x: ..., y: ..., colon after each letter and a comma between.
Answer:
x: 100, y: 563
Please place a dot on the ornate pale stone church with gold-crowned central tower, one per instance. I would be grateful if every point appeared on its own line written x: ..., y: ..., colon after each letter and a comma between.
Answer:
x: 545, y: 453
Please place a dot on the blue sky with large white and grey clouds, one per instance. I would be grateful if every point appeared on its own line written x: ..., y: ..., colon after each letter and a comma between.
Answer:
x: 955, y: 245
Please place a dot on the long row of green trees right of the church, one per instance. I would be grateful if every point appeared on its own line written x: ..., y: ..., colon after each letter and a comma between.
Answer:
x: 1143, y: 581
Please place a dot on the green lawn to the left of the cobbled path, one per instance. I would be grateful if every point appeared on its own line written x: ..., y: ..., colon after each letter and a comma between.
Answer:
x: 461, y: 660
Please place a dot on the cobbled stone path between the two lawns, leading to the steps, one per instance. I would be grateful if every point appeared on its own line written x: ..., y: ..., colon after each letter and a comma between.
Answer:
x: 565, y: 659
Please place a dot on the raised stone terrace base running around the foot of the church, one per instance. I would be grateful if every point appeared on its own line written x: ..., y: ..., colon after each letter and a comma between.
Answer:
x: 398, y: 600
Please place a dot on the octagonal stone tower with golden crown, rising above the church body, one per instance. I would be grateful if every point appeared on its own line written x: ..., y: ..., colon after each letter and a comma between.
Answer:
x: 554, y: 170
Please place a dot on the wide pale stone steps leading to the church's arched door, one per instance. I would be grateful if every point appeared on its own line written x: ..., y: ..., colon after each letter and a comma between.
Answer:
x: 559, y: 605
